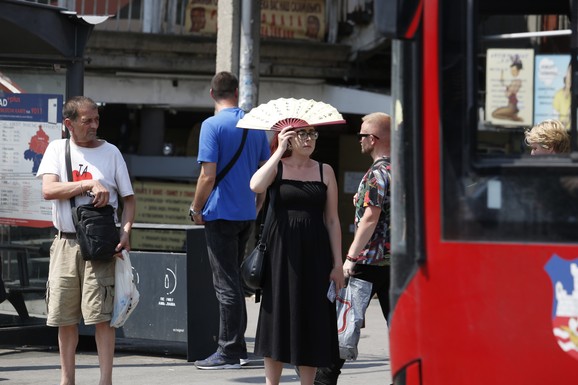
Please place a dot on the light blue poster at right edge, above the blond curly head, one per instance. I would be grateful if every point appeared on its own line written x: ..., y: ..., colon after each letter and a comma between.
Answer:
x: 553, y: 80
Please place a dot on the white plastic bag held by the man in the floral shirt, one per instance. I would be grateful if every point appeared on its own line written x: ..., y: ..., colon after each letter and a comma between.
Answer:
x: 351, y: 303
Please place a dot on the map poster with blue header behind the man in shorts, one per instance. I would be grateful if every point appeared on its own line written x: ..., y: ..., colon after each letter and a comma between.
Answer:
x: 28, y: 122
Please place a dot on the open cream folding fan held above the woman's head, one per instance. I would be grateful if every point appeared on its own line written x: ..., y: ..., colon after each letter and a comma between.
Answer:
x: 280, y: 113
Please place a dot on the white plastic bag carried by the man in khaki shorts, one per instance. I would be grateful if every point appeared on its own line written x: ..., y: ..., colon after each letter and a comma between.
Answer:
x: 126, y: 295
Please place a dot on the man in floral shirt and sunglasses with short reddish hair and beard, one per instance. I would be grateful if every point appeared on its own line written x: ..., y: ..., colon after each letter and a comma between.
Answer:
x: 368, y: 257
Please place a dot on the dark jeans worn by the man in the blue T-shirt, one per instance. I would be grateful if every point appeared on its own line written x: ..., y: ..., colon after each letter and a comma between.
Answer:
x: 226, y: 241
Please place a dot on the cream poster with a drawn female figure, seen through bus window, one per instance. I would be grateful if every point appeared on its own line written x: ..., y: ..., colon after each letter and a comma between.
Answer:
x: 509, y: 86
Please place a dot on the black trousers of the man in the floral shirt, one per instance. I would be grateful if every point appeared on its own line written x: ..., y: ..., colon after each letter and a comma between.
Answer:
x: 379, y: 276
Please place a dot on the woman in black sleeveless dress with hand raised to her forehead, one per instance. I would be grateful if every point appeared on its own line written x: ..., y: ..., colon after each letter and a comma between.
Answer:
x: 297, y: 322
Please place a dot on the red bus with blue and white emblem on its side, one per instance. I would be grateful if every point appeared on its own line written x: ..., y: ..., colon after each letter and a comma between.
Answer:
x: 484, y: 235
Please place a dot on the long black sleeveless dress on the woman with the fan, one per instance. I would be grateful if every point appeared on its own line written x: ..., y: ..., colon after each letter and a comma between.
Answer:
x: 297, y: 323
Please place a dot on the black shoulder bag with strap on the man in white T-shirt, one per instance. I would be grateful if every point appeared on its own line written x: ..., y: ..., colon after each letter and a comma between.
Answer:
x: 96, y: 231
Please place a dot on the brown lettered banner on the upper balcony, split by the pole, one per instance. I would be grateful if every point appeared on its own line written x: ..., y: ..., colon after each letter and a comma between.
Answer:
x: 288, y: 19
